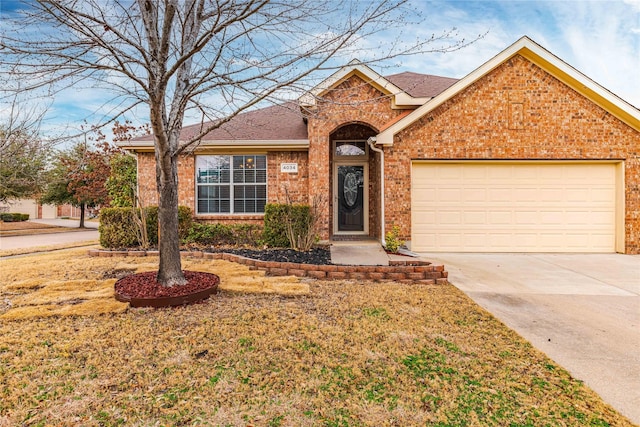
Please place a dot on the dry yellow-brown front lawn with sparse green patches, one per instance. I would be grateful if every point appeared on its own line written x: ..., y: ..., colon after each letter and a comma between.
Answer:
x: 338, y: 354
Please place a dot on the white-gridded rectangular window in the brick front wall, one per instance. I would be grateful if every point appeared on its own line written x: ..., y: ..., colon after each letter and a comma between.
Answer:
x: 231, y: 184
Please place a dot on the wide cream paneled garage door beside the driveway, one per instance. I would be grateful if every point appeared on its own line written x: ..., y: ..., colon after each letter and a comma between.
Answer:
x: 513, y: 207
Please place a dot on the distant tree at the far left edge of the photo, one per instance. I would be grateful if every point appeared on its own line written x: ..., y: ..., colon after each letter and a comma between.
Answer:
x: 23, y: 155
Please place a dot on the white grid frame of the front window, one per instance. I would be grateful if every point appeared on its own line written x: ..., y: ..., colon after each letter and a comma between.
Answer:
x: 232, y: 184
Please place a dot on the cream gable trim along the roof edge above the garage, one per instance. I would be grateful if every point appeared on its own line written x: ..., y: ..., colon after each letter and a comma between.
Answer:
x: 541, y: 57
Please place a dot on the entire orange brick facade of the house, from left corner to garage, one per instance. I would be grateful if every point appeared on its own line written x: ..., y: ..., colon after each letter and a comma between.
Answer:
x: 517, y: 112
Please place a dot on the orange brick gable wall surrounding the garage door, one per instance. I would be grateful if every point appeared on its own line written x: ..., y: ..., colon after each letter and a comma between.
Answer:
x: 518, y: 111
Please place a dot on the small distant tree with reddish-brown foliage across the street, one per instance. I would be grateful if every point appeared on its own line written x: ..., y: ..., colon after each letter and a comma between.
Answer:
x: 78, y: 177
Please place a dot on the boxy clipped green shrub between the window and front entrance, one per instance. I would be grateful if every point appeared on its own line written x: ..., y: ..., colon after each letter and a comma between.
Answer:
x: 275, y: 223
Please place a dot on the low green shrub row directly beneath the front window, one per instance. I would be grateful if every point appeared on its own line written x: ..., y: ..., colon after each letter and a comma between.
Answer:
x: 224, y: 234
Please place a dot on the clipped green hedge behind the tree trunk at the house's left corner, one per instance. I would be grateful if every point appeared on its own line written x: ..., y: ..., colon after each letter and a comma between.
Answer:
x: 119, y: 230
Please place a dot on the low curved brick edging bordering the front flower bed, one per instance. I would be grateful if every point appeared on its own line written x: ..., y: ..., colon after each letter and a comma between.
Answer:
x: 410, y: 271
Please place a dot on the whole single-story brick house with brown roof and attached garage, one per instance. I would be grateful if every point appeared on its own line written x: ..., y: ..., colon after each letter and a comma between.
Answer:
x: 524, y: 154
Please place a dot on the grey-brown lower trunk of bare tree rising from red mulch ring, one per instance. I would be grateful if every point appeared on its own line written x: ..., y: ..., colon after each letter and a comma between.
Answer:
x: 170, y: 268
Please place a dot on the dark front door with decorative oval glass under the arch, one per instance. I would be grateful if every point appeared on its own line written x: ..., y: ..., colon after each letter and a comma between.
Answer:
x: 350, y: 190
